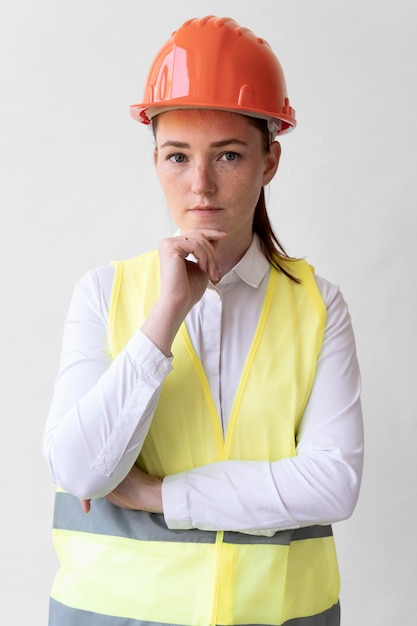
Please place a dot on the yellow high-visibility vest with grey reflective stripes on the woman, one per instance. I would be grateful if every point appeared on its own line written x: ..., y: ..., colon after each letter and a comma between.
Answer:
x: 128, y: 564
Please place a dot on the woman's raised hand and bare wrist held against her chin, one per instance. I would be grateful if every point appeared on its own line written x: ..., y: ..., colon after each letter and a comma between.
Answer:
x: 183, y: 282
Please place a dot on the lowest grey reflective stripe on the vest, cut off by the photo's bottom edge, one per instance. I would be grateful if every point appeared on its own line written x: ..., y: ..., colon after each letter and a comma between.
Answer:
x: 61, y: 615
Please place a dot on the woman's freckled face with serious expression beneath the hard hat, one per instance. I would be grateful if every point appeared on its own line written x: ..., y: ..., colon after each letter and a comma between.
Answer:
x: 211, y: 166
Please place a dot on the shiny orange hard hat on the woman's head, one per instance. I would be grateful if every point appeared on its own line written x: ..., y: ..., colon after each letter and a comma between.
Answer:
x: 213, y: 63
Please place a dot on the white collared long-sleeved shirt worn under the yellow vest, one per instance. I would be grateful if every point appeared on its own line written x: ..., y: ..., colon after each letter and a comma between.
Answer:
x: 102, y: 409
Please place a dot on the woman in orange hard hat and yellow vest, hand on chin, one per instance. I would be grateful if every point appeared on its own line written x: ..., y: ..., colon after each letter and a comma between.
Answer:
x: 207, y: 409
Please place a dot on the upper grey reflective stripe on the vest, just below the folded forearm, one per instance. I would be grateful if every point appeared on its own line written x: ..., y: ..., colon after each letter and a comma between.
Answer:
x: 106, y: 519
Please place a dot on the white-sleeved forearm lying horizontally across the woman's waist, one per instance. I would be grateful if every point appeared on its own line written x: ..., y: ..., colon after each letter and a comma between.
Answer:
x: 250, y: 496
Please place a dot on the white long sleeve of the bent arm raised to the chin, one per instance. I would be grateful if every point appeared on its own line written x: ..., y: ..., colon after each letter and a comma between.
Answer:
x: 101, y: 409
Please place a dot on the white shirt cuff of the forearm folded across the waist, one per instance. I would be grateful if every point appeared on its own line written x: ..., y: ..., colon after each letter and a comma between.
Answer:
x: 175, y: 502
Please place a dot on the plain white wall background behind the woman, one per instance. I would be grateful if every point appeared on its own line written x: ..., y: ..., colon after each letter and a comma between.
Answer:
x: 78, y: 190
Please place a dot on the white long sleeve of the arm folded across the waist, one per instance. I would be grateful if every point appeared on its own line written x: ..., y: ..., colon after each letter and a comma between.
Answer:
x: 319, y: 485
